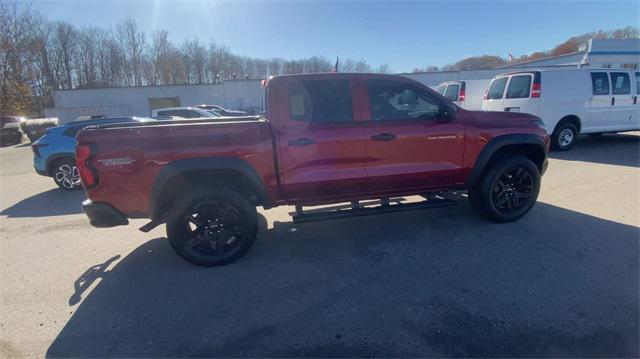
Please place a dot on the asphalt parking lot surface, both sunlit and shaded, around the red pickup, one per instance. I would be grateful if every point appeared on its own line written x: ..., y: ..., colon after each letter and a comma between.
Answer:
x: 562, y: 281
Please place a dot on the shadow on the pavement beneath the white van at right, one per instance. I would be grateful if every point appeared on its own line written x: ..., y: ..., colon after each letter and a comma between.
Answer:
x: 612, y: 149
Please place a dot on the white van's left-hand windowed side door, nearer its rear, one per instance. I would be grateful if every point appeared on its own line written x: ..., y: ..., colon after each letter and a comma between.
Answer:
x: 600, y: 102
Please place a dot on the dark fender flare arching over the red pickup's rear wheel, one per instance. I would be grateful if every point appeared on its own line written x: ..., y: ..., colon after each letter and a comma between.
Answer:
x: 205, y: 164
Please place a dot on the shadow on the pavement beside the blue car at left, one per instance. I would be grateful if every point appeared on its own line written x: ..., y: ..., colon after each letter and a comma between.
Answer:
x: 54, y: 202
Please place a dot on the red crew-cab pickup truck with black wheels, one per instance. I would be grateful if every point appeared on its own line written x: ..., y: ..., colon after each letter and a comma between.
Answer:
x: 325, y: 138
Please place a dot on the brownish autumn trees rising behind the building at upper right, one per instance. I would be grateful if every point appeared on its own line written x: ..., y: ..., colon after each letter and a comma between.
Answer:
x: 571, y: 45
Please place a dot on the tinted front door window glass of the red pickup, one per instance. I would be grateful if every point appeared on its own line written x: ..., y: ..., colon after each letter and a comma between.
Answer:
x: 396, y: 100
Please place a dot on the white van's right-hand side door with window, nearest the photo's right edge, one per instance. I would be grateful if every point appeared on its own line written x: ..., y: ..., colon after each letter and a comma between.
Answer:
x: 624, y: 113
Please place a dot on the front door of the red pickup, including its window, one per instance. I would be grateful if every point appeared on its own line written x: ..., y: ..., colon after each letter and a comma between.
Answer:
x: 409, y: 146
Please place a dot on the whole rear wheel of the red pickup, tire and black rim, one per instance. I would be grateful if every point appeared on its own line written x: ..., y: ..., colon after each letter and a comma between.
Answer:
x: 212, y: 227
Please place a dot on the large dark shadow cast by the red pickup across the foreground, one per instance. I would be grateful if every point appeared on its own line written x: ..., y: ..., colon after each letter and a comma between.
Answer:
x: 421, y: 283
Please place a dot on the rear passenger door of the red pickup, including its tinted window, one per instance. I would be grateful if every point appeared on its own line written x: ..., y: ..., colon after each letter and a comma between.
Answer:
x: 322, y: 147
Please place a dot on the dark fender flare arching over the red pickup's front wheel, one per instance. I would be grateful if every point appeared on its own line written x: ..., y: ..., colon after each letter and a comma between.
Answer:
x: 496, y: 144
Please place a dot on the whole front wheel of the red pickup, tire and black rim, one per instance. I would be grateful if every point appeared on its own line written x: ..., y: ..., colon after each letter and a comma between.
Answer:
x: 508, y: 190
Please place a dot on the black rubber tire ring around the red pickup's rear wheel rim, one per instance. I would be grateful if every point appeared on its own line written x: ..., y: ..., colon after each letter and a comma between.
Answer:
x: 175, y: 221
